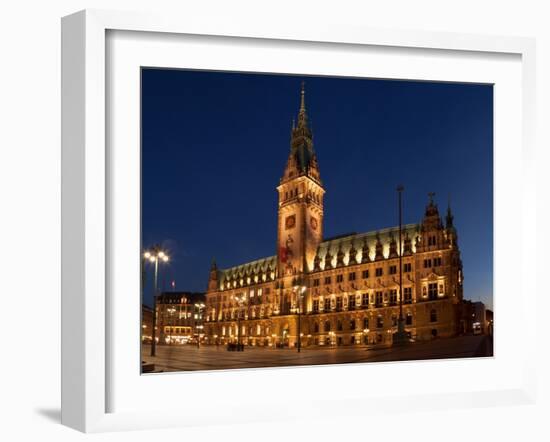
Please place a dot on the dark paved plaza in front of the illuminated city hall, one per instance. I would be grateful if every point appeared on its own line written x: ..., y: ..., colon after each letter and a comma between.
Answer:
x: 189, y: 357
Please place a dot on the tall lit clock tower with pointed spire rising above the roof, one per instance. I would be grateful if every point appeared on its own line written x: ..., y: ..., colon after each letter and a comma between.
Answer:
x: 300, y: 207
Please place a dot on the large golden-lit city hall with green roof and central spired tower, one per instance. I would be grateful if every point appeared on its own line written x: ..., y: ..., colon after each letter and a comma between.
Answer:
x: 337, y: 291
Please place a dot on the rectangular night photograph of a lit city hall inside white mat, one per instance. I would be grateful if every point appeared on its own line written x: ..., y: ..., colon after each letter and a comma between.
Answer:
x: 302, y: 220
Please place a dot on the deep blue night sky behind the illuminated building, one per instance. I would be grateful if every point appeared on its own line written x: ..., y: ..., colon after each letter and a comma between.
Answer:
x: 214, y: 146
